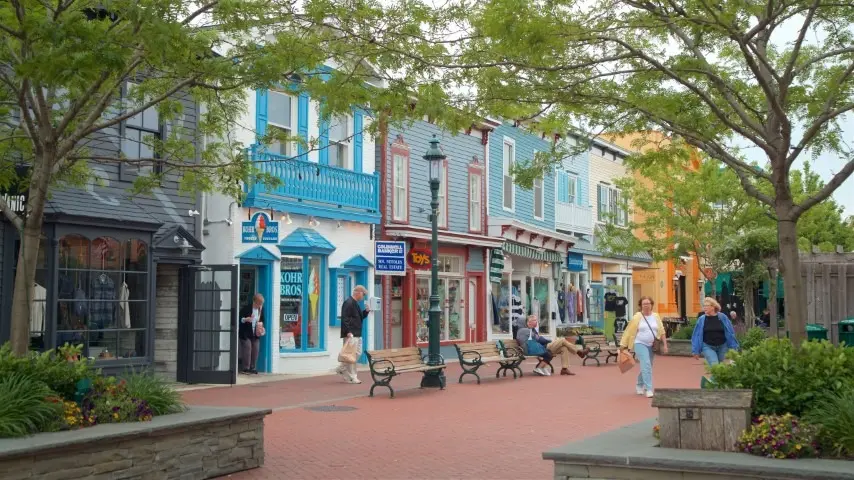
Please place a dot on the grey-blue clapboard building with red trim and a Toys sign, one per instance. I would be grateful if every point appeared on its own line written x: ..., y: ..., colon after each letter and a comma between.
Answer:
x: 463, y: 236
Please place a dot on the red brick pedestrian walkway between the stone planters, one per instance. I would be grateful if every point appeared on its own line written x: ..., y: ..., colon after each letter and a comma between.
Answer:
x: 496, y: 430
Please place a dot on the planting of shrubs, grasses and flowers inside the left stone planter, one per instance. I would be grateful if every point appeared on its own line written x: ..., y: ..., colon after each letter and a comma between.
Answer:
x: 53, y: 391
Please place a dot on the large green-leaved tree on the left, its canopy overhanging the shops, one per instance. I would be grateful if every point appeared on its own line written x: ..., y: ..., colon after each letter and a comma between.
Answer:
x: 66, y: 66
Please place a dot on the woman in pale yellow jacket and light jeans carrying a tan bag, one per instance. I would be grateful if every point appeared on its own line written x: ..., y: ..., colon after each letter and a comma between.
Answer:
x: 641, y: 333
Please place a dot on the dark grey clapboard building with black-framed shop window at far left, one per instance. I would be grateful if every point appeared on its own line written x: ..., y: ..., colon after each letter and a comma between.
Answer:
x: 110, y: 264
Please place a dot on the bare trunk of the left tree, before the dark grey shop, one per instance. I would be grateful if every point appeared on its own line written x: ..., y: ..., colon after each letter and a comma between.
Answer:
x: 28, y: 259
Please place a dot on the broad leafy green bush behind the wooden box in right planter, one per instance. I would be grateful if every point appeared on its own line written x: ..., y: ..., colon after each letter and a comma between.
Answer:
x: 785, y: 379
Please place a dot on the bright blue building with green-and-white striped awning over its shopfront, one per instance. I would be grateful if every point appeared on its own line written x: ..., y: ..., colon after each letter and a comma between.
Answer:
x: 527, y: 272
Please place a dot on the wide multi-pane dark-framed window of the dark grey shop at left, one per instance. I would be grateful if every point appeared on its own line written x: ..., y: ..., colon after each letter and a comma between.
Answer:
x: 103, y: 296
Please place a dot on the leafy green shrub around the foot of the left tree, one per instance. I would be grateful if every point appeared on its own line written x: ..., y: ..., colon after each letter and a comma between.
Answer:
x: 51, y: 368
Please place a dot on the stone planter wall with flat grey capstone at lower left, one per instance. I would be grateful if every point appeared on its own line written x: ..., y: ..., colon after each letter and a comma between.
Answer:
x: 204, y: 442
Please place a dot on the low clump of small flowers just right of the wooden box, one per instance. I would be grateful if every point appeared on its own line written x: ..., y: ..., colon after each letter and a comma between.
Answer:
x: 779, y: 437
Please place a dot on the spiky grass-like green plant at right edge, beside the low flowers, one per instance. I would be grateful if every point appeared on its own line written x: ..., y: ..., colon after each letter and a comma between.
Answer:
x: 834, y: 415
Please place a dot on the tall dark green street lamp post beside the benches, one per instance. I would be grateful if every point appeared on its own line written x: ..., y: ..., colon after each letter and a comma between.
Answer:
x: 434, y: 378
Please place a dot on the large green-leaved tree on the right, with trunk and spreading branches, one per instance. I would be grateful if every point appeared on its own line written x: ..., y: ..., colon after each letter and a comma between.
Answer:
x: 773, y: 77
